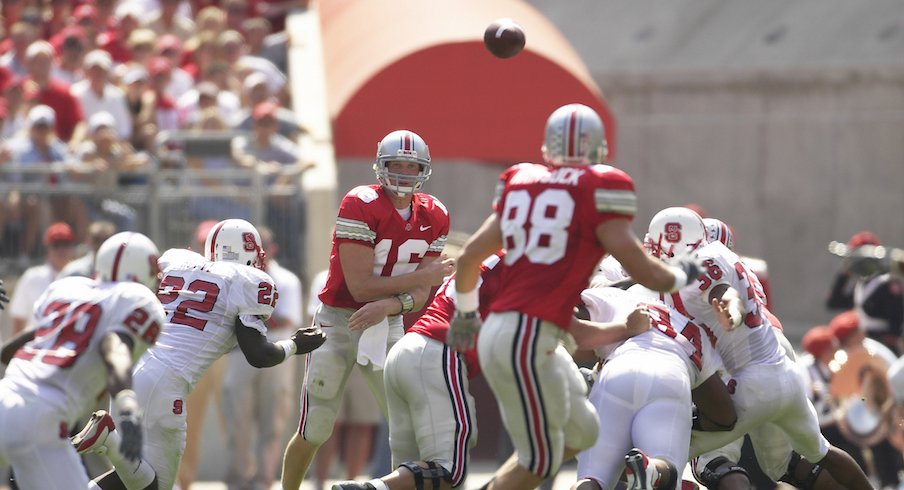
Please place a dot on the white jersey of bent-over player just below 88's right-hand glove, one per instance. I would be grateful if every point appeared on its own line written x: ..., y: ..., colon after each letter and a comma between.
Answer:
x: 670, y: 331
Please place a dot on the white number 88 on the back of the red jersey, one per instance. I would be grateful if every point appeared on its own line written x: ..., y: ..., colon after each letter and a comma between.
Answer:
x: 548, y: 215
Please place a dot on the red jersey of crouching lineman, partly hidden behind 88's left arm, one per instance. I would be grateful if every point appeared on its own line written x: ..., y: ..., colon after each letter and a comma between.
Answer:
x: 434, y: 323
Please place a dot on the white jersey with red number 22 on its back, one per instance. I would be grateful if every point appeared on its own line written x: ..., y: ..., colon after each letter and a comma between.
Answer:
x: 202, y: 300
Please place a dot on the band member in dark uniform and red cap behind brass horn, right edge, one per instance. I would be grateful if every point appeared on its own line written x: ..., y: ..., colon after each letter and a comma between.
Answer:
x: 878, y: 299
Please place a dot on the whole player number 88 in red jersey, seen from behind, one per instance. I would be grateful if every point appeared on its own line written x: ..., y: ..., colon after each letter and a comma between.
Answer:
x: 555, y: 221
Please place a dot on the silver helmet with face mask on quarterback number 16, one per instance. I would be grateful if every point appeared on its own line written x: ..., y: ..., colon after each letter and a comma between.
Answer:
x: 406, y: 146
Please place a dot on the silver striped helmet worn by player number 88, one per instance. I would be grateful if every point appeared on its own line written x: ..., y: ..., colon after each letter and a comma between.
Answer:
x: 574, y: 135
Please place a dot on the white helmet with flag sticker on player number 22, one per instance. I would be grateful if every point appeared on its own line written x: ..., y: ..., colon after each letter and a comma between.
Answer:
x: 235, y: 240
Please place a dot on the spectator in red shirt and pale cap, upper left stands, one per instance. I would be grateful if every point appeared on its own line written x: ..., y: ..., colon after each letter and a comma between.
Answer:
x: 69, y: 117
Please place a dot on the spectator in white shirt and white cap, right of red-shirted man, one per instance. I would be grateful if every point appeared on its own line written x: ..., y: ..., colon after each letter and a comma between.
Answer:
x: 97, y: 94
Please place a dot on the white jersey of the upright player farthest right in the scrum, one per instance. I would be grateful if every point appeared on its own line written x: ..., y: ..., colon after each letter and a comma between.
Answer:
x: 753, y: 341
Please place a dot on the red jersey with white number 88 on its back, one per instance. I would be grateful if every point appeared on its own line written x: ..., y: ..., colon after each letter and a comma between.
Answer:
x: 548, y: 217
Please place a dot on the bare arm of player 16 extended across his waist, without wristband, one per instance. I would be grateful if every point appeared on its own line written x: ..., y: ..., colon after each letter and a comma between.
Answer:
x: 357, y: 265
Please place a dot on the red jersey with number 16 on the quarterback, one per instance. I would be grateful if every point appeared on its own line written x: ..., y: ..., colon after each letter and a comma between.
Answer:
x: 368, y: 217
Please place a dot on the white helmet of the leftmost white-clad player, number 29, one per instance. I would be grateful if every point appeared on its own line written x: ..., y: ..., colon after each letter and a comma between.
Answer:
x: 128, y: 256
